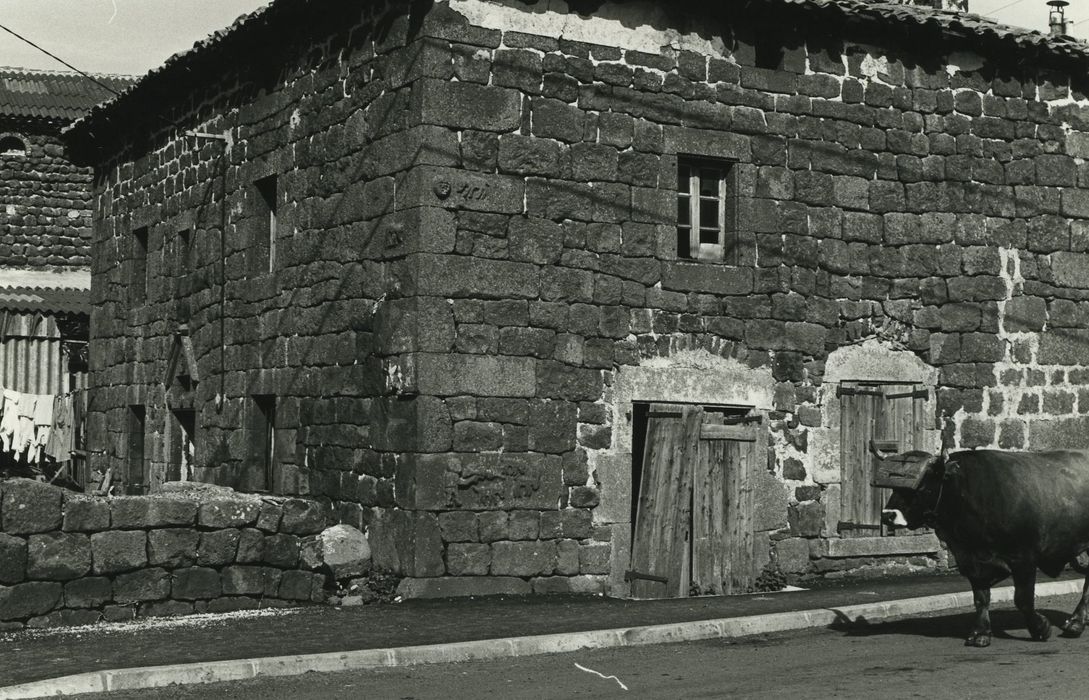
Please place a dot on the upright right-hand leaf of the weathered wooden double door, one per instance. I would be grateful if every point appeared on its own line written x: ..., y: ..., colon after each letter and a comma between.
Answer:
x: 723, y: 505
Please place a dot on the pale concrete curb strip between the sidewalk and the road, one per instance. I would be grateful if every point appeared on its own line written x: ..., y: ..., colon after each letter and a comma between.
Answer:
x: 729, y: 628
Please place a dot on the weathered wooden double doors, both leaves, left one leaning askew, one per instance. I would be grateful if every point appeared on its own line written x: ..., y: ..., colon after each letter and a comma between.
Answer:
x: 694, y: 519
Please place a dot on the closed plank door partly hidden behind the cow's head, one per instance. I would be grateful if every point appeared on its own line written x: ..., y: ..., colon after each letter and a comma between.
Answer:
x: 891, y: 415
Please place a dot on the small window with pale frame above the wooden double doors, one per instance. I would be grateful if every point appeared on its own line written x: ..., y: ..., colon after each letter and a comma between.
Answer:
x: 707, y: 211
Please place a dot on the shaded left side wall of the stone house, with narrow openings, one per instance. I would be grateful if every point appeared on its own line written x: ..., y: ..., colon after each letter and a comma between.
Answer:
x: 328, y: 120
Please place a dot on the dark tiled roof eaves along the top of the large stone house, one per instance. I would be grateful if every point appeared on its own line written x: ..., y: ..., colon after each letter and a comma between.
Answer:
x: 972, y: 30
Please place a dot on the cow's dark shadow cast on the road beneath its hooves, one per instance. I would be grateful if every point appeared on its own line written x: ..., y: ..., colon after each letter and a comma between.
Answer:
x: 1007, y: 624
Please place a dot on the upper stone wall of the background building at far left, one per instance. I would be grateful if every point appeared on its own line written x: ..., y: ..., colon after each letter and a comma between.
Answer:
x: 45, y: 203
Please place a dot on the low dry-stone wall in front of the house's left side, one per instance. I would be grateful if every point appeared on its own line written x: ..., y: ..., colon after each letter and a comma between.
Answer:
x: 68, y: 559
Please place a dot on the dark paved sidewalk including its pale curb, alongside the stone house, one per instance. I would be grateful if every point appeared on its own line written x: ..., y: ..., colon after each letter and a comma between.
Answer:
x: 290, y: 642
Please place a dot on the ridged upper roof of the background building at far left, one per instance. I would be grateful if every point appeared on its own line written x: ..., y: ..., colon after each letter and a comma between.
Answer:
x: 53, y: 95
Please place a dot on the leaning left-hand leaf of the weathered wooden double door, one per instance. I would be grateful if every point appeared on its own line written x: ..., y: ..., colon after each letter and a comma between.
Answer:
x: 662, y: 541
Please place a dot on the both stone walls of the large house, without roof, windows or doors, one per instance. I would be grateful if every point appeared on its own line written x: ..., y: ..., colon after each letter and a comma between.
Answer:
x: 472, y: 280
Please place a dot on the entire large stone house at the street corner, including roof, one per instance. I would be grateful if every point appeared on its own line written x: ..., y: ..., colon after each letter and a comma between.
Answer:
x: 609, y: 299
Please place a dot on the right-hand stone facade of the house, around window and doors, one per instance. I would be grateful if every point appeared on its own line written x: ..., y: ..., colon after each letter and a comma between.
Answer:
x: 931, y: 211
